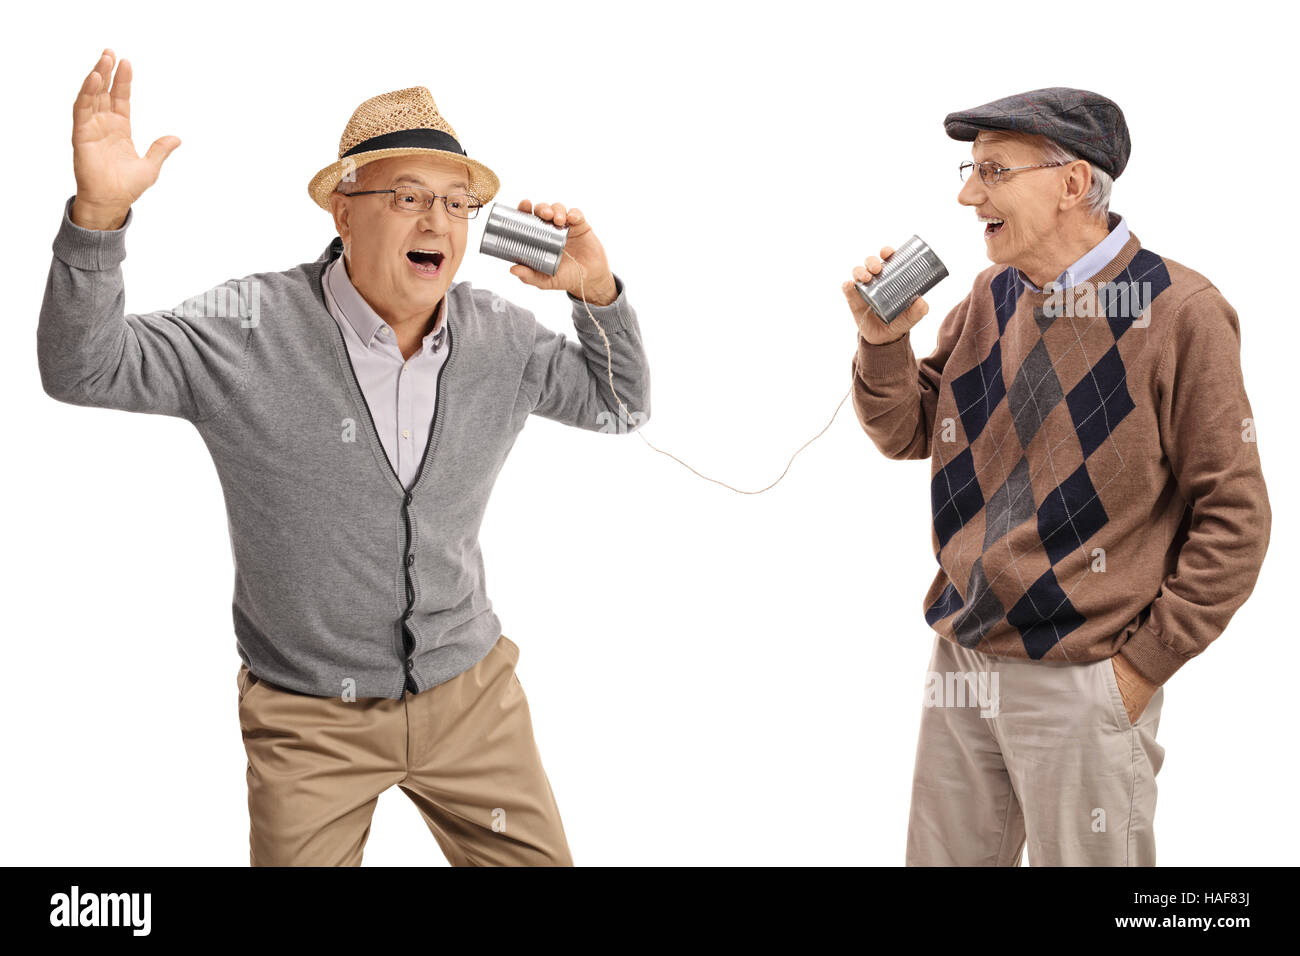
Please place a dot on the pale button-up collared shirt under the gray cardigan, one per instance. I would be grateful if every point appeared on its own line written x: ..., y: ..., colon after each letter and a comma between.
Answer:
x: 402, y: 393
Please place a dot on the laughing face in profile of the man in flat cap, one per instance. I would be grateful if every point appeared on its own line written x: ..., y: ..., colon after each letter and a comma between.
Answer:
x: 1022, y: 214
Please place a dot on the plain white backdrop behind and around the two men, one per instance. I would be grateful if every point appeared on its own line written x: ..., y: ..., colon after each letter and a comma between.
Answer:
x: 714, y: 678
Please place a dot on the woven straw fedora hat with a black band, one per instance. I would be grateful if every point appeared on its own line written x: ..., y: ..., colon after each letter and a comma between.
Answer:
x: 404, y: 123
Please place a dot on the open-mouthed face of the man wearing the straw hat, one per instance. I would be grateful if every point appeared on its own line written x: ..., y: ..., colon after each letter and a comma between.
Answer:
x: 402, y: 262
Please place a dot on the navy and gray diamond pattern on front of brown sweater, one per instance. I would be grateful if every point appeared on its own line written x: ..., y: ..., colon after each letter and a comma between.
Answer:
x: 1072, y: 513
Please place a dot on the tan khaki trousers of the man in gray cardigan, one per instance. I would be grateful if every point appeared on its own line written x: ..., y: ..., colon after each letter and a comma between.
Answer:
x: 462, y: 751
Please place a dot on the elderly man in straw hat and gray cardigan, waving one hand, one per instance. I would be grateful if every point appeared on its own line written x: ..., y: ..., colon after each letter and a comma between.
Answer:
x: 358, y: 409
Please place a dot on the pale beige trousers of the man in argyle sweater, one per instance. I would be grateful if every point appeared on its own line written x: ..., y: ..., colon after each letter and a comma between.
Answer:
x: 1043, y: 754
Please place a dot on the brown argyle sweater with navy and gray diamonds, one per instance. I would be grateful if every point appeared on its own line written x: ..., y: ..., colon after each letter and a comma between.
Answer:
x: 1095, y: 479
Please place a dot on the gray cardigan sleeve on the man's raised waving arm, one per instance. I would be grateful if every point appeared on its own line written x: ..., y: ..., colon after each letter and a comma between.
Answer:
x: 185, y: 362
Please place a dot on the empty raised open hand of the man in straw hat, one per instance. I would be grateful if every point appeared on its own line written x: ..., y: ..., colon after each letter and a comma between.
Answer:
x: 110, y: 174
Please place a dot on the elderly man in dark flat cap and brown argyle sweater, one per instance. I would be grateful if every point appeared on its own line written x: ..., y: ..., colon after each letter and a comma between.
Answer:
x: 1098, y: 505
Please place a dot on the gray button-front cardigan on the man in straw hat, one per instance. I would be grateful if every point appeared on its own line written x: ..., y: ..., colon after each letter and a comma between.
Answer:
x: 345, y: 582
